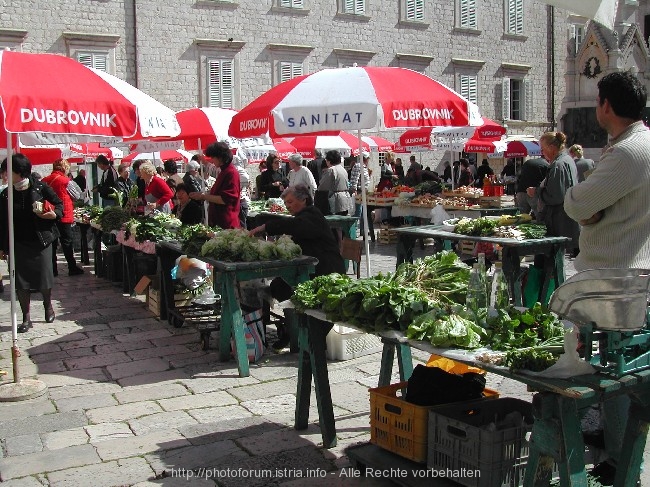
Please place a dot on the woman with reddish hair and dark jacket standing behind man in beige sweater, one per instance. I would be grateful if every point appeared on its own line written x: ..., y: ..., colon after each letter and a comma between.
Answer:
x: 562, y: 175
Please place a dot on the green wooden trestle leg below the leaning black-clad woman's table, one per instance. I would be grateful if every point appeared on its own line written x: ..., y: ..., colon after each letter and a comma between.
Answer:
x: 232, y: 325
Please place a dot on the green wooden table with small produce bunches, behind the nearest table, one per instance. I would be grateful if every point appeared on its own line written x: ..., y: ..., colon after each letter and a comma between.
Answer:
x: 513, y: 250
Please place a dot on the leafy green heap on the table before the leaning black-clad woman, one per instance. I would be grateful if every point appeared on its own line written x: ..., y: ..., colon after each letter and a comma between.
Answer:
x: 238, y: 246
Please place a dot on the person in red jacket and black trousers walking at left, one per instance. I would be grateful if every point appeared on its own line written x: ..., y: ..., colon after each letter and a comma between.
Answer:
x: 58, y: 181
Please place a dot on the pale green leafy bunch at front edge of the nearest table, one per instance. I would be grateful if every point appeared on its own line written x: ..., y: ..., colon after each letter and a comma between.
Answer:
x: 454, y: 327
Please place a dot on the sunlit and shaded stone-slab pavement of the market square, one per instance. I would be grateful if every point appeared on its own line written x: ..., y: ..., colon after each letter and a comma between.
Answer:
x: 134, y: 401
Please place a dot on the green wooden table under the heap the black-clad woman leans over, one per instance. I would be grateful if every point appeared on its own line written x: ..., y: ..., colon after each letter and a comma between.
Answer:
x: 226, y: 275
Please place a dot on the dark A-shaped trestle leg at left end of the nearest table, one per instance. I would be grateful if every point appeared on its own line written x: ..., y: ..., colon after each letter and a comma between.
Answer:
x: 313, y: 361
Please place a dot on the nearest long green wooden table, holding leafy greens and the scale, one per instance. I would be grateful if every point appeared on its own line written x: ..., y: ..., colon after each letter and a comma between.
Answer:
x: 557, y: 405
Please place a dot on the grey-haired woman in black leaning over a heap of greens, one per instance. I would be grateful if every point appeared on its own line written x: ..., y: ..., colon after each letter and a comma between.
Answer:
x: 310, y: 230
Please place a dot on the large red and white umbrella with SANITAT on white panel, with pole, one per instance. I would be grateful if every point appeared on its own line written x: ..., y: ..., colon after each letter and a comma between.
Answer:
x: 355, y: 98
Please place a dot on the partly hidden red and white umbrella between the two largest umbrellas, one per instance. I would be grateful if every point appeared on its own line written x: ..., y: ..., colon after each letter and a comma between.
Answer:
x: 203, y: 126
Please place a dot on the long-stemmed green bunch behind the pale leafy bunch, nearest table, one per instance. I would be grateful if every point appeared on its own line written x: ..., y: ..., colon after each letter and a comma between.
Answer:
x: 442, y: 276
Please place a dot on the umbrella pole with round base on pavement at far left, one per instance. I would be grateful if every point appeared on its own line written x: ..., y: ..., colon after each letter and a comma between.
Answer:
x: 19, y: 389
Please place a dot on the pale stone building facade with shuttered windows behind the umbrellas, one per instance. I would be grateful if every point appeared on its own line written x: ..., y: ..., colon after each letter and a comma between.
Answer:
x: 509, y: 59
